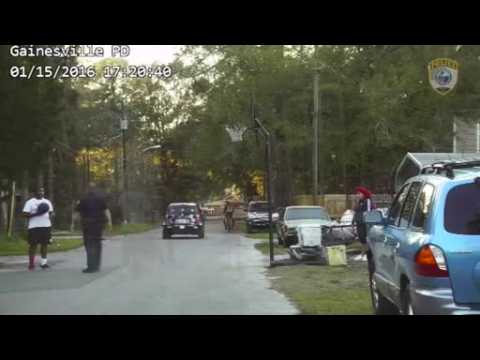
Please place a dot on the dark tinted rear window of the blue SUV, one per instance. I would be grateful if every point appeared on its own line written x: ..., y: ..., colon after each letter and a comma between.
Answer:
x: 462, y: 210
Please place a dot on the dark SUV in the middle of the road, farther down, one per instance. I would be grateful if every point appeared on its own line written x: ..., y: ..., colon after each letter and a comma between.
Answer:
x: 184, y: 219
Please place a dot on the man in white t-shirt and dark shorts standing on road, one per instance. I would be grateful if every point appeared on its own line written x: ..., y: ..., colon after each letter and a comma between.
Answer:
x: 38, y: 211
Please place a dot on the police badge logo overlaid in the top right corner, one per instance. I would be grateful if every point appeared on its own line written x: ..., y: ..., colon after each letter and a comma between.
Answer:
x: 443, y: 75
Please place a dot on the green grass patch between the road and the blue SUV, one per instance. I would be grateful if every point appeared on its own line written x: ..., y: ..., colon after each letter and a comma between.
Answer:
x: 325, y: 290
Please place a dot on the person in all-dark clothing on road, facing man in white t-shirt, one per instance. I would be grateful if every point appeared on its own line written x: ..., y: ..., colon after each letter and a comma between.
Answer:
x: 94, y: 216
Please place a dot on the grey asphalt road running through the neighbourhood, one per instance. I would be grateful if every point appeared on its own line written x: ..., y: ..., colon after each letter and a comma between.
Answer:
x: 144, y: 275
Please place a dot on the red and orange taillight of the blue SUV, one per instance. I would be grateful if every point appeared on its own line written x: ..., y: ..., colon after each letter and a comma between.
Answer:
x: 430, y: 262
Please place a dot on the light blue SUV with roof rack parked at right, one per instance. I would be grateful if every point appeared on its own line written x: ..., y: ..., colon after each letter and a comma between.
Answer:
x: 424, y: 256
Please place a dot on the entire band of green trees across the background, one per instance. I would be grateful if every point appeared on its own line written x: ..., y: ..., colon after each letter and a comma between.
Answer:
x: 376, y: 104
